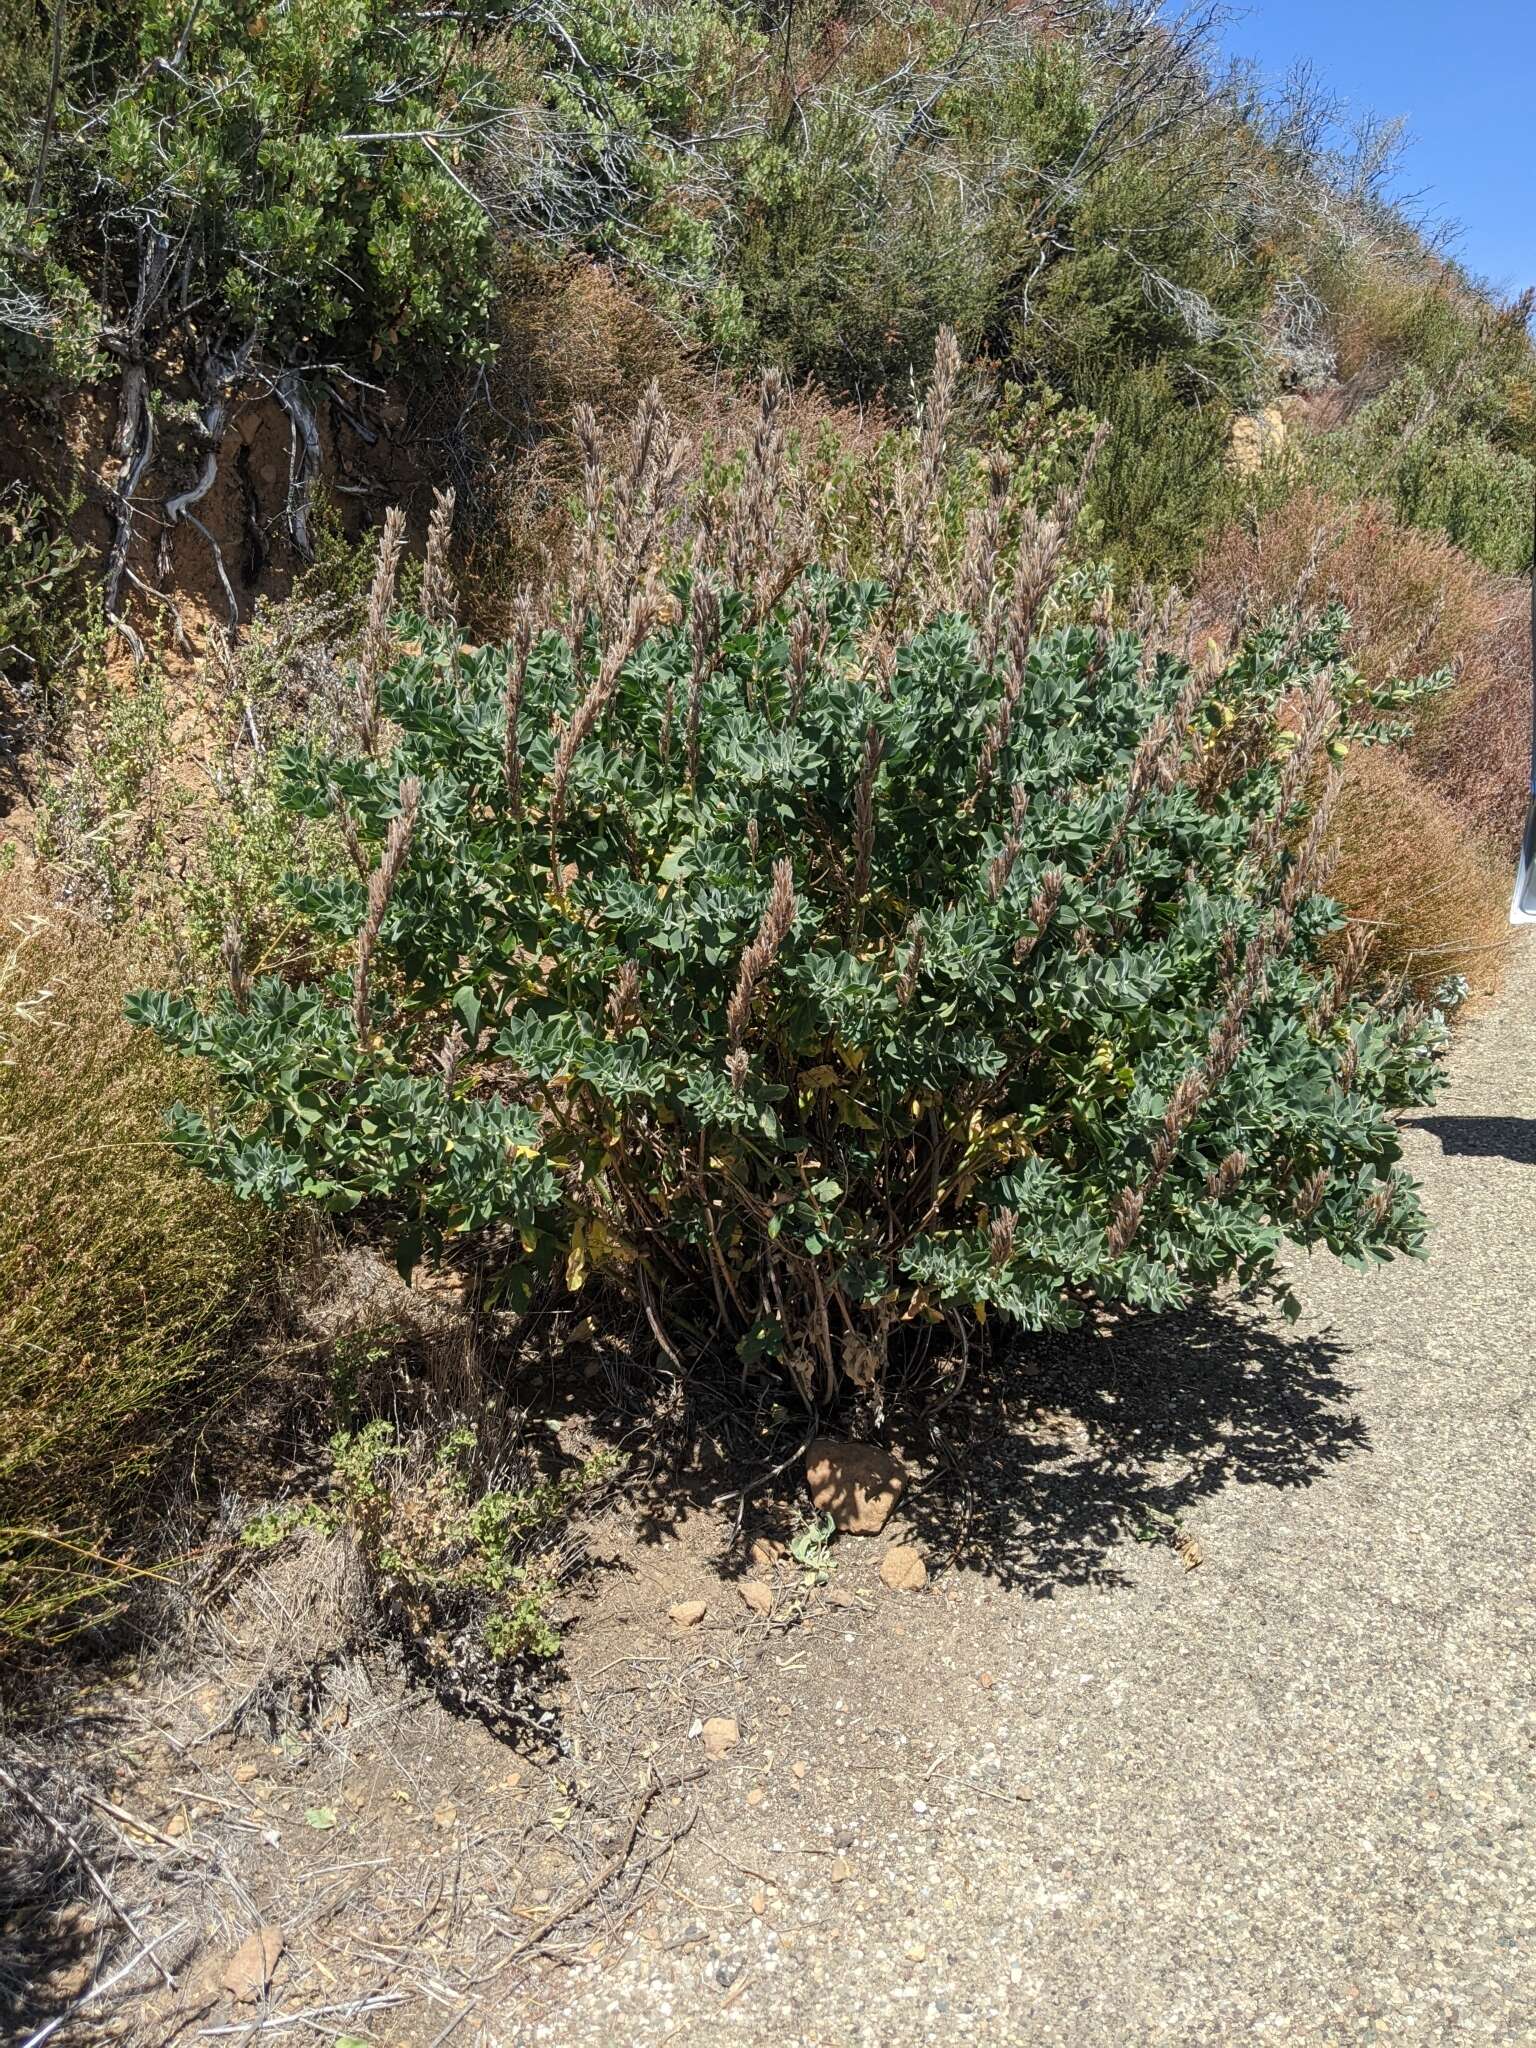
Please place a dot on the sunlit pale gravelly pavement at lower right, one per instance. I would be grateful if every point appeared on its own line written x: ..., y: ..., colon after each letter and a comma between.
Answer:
x: 1097, y: 1797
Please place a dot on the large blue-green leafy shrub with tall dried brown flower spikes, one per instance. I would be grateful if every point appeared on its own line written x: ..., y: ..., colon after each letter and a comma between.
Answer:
x: 835, y: 953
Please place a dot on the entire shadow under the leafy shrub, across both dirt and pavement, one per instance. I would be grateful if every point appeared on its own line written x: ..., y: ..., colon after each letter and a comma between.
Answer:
x: 1052, y: 1459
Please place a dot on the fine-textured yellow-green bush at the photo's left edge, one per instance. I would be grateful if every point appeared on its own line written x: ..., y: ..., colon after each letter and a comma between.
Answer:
x: 122, y: 1273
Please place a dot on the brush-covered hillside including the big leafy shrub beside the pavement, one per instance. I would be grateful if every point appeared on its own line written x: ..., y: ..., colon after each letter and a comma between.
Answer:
x: 1031, y: 318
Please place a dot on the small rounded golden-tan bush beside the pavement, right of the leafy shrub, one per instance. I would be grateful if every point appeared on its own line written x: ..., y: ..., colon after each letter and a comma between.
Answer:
x: 1431, y: 896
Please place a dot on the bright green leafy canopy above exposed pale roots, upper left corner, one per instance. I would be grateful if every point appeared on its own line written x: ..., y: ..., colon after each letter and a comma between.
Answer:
x: 243, y: 171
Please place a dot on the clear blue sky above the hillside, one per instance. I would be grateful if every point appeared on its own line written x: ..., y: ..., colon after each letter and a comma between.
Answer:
x: 1465, y: 77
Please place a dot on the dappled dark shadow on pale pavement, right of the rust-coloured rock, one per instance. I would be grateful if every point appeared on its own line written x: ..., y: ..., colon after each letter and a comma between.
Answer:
x: 1091, y: 1441
